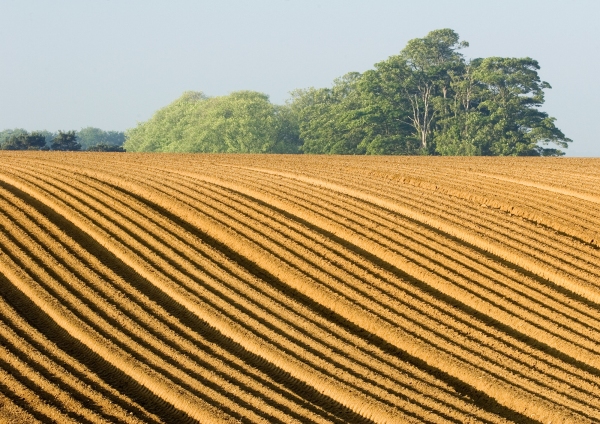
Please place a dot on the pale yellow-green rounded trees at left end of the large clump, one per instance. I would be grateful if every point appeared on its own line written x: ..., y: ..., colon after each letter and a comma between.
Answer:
x: 242, y: 122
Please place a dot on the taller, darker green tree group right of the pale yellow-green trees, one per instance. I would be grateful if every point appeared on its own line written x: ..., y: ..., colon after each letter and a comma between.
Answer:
x: 430, y: 100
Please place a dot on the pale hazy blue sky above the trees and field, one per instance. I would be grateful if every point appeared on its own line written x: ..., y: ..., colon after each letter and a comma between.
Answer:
x: 69, y: 64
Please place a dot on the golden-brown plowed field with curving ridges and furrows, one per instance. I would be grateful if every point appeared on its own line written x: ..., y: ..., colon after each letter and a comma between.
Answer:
x: 280, y: 289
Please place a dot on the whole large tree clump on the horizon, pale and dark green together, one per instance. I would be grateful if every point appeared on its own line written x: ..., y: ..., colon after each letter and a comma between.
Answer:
x: 429, y: 99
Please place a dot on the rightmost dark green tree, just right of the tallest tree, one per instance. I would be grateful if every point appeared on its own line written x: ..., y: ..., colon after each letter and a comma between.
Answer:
x: 495, y: 111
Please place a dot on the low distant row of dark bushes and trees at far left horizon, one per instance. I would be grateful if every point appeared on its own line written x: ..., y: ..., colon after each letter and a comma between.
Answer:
x: 88, y: 139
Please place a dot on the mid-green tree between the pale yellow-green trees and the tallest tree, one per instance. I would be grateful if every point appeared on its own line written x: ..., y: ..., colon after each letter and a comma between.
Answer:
x: 358, y: 115
